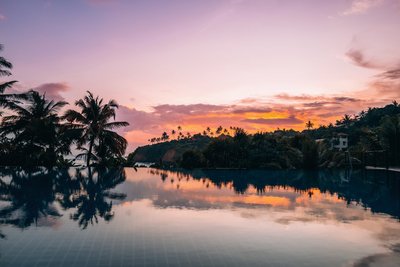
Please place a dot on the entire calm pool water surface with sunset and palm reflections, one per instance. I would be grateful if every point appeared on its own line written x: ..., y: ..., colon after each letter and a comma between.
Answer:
x: 202, y: 218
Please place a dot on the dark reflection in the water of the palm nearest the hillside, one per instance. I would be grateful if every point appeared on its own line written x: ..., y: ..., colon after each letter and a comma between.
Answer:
x: 94, y: 198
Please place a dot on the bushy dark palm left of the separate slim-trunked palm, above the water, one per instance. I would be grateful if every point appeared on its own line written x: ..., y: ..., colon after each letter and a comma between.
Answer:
x: 36, y: 127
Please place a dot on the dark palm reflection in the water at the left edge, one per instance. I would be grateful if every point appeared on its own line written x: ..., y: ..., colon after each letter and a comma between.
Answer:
x: 30, y: 196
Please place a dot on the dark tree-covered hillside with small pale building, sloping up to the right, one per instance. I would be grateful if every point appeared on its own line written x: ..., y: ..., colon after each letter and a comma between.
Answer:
x: 373, y: 139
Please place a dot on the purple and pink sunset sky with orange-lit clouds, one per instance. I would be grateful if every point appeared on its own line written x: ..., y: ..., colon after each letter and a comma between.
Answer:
x: 257, y: 64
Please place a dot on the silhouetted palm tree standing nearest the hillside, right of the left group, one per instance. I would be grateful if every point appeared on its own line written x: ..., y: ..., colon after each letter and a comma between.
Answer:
x: 92, y: 123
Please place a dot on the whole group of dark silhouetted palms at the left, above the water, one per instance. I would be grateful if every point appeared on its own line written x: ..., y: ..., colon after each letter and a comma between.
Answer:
x: 33, y: 133
